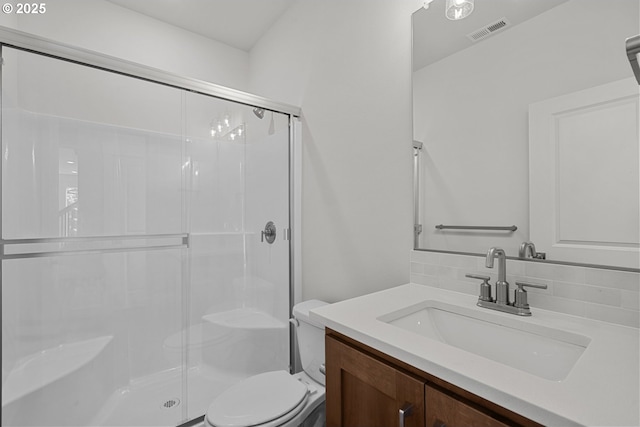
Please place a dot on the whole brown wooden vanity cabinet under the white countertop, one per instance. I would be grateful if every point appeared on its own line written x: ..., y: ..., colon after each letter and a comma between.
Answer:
x: 368, y: 388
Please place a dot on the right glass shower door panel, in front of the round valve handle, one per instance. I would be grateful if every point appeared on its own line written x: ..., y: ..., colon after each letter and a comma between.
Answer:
x: 239, y: 274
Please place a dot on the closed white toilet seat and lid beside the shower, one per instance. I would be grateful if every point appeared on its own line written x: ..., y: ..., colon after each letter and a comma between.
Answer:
x: 268, y: 399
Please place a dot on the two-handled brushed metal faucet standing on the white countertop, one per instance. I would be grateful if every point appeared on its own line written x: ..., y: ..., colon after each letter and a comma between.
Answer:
x: 520, y: 305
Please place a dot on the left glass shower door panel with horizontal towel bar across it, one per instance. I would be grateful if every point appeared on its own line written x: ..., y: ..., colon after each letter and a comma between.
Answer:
x: 94, y: 253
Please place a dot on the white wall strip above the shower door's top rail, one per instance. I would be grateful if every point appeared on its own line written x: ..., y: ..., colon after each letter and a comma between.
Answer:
x: 110, y: 29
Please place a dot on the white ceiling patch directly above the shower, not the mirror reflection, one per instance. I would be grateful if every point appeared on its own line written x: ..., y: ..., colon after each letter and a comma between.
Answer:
x: 237, y: 23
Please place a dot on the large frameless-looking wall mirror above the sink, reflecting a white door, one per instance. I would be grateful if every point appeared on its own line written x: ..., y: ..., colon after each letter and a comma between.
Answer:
x: 527, y: 111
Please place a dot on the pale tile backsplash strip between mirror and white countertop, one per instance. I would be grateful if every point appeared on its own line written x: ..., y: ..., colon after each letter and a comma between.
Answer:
x: 595, y: 293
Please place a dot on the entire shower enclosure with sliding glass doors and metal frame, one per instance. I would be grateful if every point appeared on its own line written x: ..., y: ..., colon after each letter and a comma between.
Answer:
x: 139, y: 276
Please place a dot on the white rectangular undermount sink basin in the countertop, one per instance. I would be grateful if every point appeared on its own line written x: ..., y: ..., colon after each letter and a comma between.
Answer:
x: 539, y: 350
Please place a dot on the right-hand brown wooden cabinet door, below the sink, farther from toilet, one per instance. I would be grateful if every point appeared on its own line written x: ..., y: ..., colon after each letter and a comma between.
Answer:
x: 443, y: 410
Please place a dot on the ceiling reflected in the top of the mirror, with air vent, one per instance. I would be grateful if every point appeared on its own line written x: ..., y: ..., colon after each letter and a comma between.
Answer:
x: 435, y: 37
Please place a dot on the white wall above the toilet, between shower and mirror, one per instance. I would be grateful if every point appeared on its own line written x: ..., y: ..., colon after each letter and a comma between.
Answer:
x: 348, y: 65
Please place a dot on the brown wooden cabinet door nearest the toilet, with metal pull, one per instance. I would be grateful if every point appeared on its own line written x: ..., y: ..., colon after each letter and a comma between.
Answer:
x: 365, y: 392
